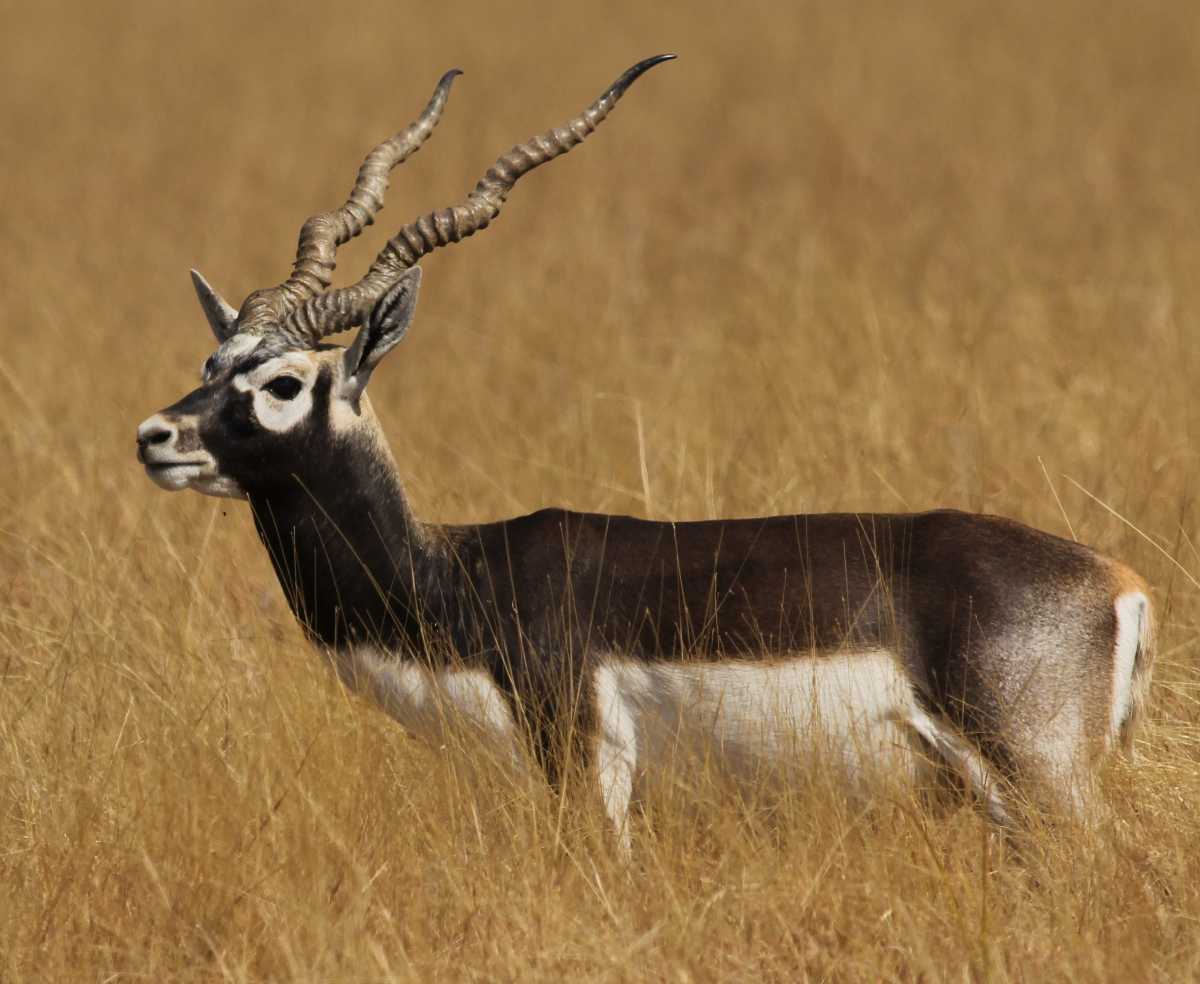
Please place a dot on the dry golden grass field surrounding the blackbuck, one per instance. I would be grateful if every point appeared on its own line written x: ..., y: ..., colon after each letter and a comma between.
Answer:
x: 837, y: 257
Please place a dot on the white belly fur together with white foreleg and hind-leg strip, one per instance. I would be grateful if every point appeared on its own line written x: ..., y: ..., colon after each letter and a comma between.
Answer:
x: 857, y: 709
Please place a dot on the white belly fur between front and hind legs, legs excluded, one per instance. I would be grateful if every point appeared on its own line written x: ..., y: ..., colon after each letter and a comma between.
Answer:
x: 850, y: 710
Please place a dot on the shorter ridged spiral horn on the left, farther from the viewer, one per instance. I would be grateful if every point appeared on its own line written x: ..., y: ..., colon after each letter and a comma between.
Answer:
x: 321, y: 236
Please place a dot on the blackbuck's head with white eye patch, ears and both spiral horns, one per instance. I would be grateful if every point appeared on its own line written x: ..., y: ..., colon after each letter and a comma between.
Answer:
x: 273, y: 394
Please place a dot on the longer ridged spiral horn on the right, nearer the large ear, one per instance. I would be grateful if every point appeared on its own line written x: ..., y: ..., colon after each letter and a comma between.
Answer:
x: 350, y: 307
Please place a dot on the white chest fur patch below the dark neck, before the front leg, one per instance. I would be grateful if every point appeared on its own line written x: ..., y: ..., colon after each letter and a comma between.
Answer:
x: 434, y: 704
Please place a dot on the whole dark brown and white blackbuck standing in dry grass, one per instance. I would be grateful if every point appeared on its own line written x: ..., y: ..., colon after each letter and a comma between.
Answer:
x: 964, y: 644
